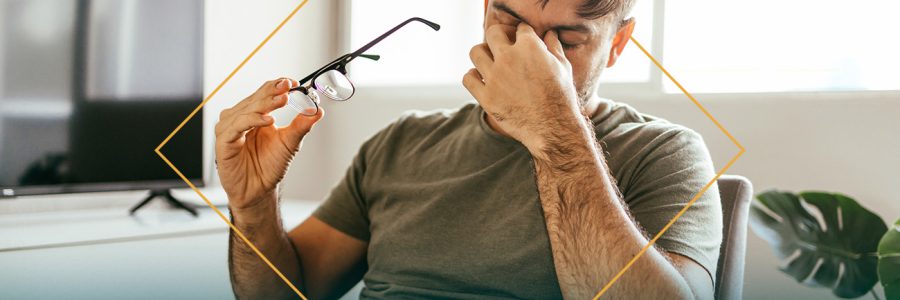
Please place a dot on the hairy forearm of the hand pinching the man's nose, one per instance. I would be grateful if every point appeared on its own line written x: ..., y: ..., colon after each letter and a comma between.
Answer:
x: 592, y: 236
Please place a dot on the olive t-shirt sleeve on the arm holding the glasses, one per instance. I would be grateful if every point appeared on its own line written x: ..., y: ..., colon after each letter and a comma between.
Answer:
x: 345, y: 208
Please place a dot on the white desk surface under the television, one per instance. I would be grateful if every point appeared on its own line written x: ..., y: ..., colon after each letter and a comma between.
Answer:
x: 105, y: 254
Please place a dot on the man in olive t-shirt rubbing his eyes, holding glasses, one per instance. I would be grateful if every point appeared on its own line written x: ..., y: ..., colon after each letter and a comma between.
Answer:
x: 541, y: 190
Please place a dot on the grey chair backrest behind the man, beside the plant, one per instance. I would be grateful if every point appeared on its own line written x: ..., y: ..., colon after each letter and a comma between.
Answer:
x: 736, y: 193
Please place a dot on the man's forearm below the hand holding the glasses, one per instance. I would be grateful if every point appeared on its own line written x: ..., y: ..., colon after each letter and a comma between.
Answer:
x: 251, y: 277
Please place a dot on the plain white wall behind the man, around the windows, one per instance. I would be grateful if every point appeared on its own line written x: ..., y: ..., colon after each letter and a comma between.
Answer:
x: 836, y: 142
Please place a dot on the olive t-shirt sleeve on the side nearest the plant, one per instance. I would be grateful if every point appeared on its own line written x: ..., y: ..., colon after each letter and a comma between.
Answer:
x: 670, y: 175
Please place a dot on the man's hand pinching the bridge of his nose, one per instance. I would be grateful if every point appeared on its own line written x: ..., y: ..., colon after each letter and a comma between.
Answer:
x: 524, y: 84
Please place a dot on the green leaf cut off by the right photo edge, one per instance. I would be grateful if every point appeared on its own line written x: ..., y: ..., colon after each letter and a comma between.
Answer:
x: 889, y: 262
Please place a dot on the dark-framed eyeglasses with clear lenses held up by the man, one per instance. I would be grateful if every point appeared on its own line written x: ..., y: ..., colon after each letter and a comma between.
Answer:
x: 331, y: 80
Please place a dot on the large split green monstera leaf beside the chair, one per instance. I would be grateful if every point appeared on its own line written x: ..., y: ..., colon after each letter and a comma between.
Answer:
x: 823, y: 239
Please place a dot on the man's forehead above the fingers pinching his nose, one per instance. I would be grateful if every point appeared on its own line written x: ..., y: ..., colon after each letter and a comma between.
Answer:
x: 555, y: 14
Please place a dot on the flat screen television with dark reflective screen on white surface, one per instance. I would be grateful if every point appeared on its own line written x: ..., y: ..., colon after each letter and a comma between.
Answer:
x: 89, y: 88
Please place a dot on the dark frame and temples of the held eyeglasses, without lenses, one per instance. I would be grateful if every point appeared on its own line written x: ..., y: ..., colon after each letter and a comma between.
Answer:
x: 340, y: 64
